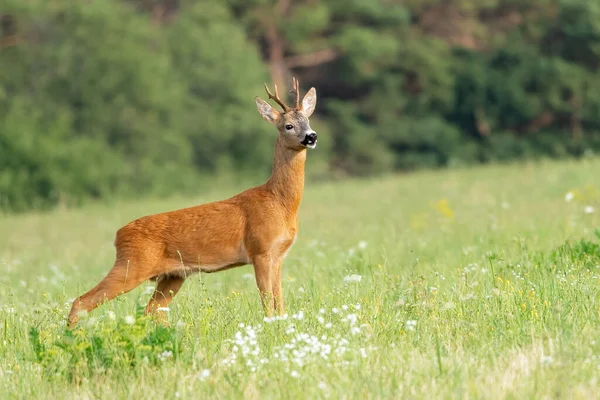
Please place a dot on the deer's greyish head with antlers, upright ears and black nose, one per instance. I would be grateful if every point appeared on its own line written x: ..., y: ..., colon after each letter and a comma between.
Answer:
x: 292, y: 123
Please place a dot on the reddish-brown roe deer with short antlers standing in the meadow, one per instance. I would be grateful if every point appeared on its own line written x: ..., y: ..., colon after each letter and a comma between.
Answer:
x: 257, y: 226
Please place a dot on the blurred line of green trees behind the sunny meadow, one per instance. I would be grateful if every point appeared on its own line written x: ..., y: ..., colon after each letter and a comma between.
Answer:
x: 129, y: 97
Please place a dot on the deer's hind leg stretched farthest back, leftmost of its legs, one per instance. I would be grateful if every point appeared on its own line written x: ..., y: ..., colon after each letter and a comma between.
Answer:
x: 121, y: 279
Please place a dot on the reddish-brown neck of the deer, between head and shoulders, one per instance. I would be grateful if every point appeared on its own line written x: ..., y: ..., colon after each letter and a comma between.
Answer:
x: 287, y: 178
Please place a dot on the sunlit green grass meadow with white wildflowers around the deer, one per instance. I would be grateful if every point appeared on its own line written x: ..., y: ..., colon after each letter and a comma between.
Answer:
x: 479, y: 283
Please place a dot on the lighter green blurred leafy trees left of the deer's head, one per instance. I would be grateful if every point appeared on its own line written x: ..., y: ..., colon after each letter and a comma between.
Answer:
x: 99, y: 101
